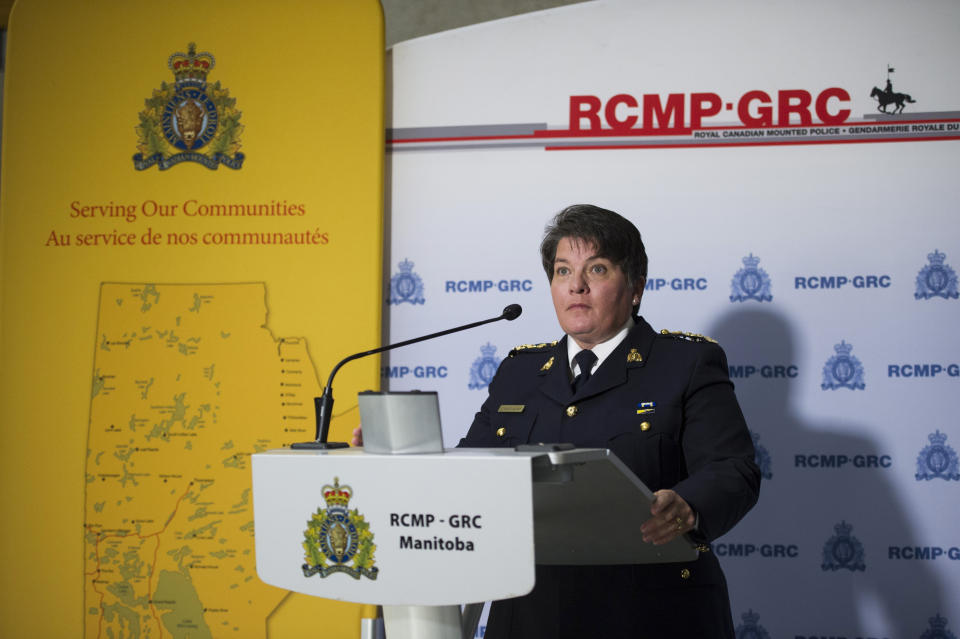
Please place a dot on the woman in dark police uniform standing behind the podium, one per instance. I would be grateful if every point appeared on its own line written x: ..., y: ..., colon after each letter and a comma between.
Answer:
x: 663, y: 403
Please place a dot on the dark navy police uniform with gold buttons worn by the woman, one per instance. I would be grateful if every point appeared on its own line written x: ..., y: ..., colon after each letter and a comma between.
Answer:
x: 664, y: 404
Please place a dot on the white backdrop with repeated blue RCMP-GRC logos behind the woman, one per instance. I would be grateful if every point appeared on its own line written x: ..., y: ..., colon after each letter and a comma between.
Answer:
x: 792, y: 168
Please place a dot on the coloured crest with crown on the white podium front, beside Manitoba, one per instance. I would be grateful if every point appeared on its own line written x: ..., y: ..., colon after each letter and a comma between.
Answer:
x: 338, y: 539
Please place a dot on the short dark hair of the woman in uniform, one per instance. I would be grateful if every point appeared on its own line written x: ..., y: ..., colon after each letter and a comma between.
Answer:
x: 615, y: 237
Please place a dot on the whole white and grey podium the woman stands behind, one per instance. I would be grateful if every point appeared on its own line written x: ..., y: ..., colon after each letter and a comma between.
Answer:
x: 423, y: 533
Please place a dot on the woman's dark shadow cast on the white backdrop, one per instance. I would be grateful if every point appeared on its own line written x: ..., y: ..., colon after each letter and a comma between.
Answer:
x: 841, y: 580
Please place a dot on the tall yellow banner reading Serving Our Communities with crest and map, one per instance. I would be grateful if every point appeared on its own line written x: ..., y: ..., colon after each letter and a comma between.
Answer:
x: 191, y: 226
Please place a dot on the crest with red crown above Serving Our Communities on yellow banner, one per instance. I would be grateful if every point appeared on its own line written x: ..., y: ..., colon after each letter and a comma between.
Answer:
x: 189, y: 120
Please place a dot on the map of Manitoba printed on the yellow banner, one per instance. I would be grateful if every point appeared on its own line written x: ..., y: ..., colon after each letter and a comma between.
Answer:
x: 188, y: 382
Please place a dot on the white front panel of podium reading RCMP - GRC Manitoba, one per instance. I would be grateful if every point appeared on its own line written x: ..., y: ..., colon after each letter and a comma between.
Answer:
x: 360, y: 527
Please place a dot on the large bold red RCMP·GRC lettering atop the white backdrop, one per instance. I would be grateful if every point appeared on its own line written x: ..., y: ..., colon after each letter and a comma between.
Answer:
x: 652, y: 112
